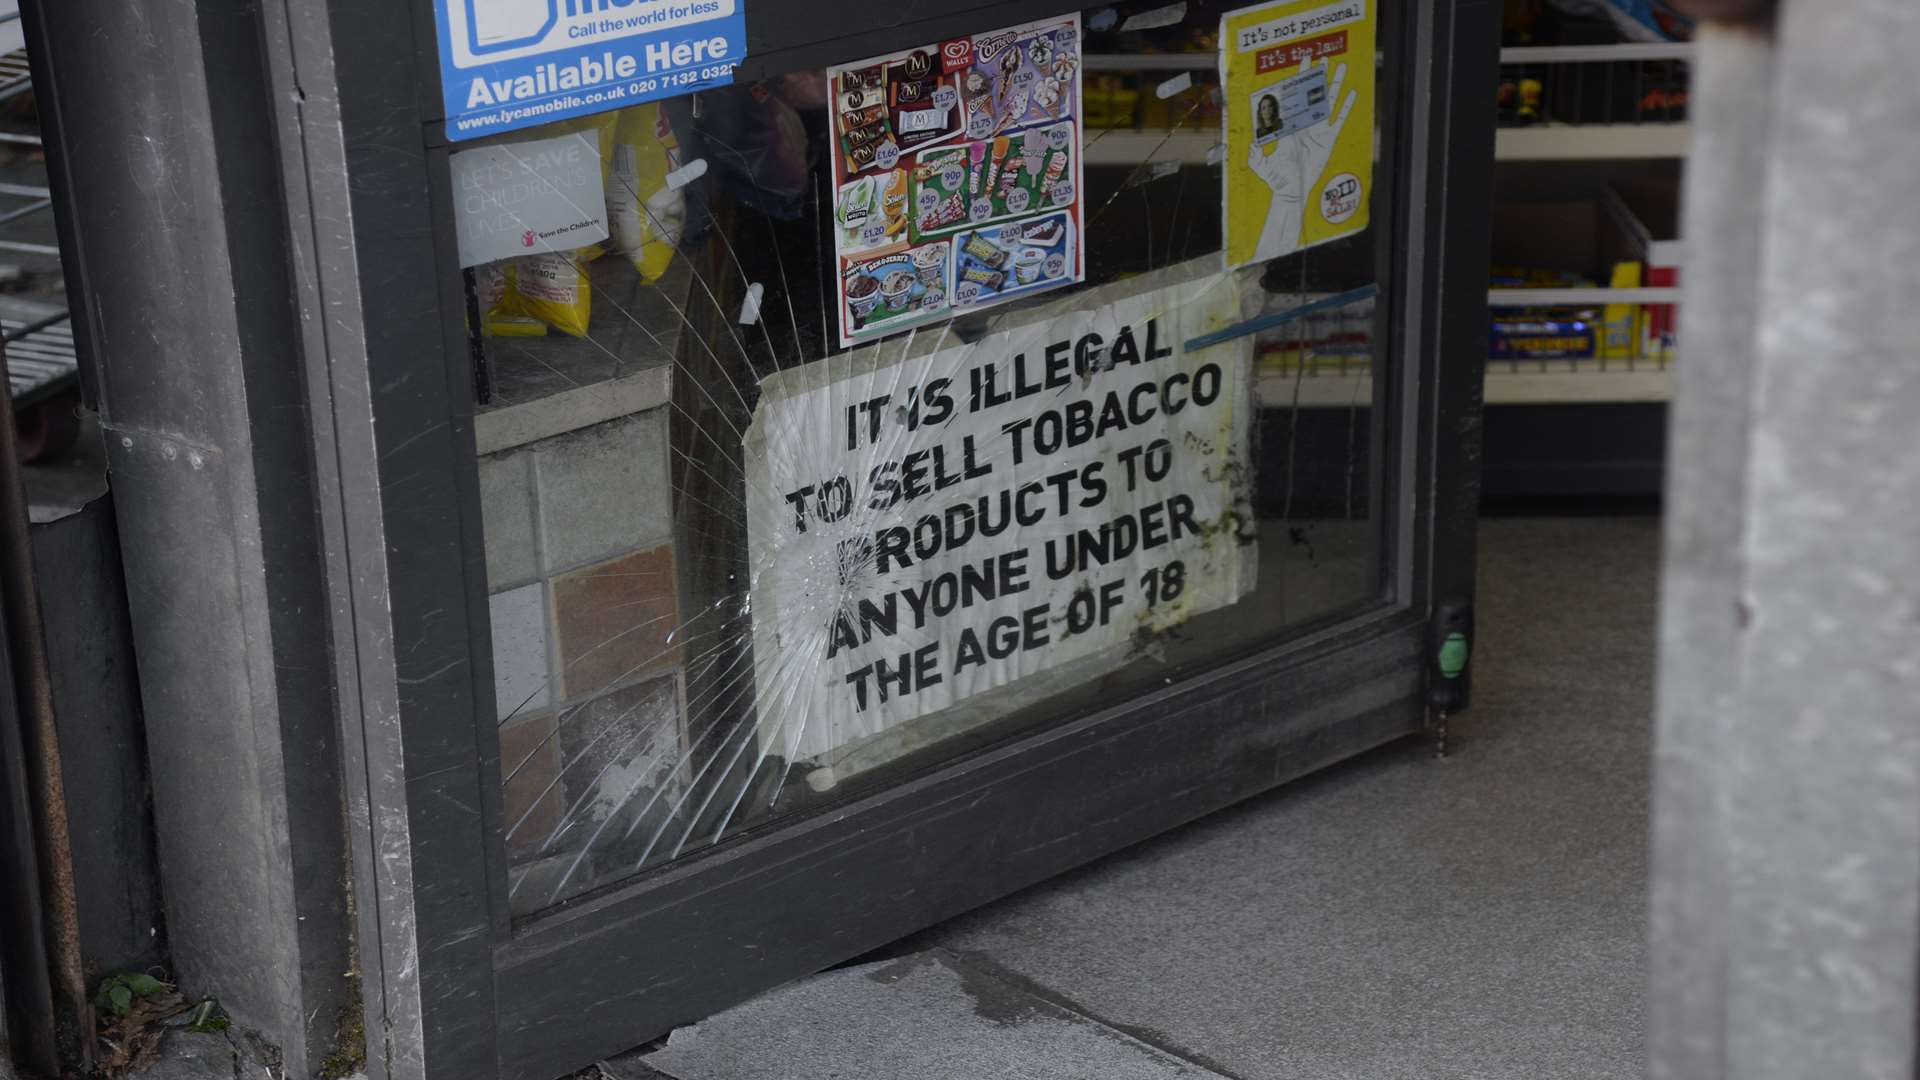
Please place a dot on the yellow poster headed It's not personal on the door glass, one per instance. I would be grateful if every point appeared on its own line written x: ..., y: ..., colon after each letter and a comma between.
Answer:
x: 1299, y: 112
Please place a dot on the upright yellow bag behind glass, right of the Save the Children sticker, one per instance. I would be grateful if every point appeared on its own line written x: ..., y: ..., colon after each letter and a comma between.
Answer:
x: 644, y: 212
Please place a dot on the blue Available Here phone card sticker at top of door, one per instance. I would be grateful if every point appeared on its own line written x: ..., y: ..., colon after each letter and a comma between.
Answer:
x: 510, y: 64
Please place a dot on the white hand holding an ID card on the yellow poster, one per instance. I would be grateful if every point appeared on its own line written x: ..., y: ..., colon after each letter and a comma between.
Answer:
x: 1295, y: 134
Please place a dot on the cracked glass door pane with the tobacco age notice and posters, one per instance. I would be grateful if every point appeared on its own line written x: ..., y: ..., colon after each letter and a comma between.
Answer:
x: 840, y: 426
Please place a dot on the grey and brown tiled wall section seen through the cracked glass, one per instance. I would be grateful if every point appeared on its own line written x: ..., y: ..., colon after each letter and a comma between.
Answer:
x: 587, y: 670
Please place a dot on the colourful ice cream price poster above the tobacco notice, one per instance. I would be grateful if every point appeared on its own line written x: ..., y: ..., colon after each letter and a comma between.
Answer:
x: 957, y: 178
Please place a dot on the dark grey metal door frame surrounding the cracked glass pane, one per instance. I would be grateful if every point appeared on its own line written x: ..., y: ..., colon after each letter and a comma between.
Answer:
x: 452, y: 991
